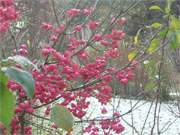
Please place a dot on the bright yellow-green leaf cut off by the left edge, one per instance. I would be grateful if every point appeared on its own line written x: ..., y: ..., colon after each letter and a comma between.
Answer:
x: 7, y: 102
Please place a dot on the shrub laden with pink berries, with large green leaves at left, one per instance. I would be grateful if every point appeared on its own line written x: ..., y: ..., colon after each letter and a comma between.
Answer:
x: 67, y: 75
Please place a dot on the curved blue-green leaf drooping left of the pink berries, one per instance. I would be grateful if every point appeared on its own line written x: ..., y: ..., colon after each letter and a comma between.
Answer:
x: 22, y: 77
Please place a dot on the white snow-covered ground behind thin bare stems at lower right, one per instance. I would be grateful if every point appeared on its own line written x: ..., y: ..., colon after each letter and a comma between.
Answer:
x: 167, y: 121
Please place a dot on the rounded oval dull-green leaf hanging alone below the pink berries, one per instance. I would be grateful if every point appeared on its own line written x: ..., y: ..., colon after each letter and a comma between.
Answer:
x: 62, y: 117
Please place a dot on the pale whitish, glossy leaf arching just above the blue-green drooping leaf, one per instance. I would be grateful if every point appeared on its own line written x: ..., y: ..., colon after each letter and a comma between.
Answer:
x: 23, y: 61
